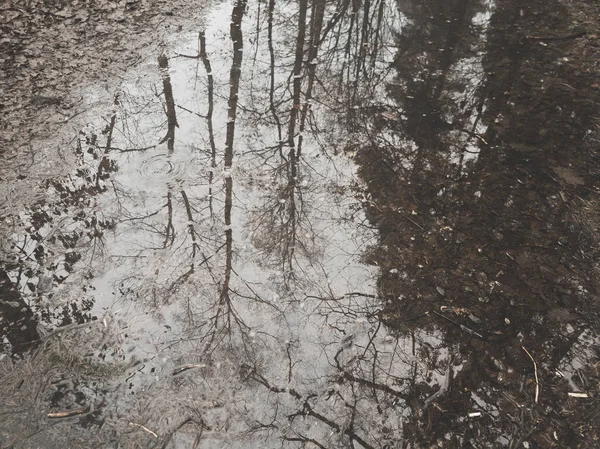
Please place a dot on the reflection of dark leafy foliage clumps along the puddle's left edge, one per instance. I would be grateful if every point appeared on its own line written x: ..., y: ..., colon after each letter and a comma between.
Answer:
x: 62, y: 235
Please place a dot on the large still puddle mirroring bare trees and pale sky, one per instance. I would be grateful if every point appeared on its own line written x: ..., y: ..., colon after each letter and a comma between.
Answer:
x: 312, y: 225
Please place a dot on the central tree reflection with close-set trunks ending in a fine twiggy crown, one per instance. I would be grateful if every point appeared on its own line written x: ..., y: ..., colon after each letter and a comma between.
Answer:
x: 282, y: 221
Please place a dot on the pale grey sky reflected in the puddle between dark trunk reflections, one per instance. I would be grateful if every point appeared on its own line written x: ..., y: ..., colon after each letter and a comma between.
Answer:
x: 166, y: 313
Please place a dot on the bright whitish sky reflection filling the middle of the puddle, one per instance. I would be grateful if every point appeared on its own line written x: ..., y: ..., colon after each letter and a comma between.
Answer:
x: 289, y: 333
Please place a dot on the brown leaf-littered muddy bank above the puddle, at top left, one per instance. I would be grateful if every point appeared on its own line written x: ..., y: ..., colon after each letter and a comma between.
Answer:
x: 58, y: 58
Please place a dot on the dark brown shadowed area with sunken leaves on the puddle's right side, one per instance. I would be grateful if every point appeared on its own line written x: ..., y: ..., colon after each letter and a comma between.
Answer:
x: 501, y: 253
